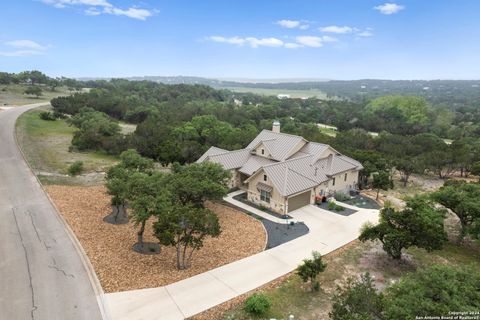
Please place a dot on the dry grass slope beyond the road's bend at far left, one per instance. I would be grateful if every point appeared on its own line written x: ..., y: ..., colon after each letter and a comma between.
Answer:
x: 13, y: 94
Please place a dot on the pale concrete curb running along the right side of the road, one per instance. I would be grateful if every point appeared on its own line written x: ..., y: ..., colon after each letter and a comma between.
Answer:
x: 97, y: 288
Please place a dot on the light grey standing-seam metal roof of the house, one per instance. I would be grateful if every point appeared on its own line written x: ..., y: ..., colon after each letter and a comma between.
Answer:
x: 305, y: 169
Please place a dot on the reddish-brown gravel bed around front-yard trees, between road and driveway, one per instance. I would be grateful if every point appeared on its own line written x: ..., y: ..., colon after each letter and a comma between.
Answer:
x: 109, y: 247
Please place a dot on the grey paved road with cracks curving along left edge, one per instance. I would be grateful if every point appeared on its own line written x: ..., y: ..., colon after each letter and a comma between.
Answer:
x: 42, y: 276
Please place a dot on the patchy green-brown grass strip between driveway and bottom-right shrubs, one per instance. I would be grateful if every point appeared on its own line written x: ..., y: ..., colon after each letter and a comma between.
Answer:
x: 293, y: 296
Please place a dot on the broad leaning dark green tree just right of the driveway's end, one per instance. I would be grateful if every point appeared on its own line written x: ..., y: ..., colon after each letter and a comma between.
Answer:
x: 420, y: 224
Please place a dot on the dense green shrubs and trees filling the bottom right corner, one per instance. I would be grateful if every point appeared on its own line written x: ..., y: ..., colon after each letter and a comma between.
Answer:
x: 434, y: 291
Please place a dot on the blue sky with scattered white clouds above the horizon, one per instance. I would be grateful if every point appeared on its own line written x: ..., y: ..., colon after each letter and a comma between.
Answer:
x: 259, y: 39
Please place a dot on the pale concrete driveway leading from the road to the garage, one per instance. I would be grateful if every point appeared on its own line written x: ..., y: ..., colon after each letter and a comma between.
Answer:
x: 328, y: 232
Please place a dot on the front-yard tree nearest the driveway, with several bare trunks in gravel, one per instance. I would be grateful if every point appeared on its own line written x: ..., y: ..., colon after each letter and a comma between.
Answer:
x: 186, y: 227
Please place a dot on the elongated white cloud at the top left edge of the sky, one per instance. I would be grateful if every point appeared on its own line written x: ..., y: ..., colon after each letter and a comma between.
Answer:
x: 98, y: 7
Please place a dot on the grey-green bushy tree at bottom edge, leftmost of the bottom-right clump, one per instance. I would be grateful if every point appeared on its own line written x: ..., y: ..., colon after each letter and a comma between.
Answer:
x: 358, y: 299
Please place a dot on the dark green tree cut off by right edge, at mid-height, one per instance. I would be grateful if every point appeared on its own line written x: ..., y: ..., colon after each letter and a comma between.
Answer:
x: 463, y: 199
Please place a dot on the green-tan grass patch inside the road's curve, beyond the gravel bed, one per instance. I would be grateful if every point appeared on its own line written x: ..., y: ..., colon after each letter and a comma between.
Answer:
x: 46, y: 143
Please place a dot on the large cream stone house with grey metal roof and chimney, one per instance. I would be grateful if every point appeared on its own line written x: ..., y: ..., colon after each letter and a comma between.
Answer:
x: 285, y: 172
